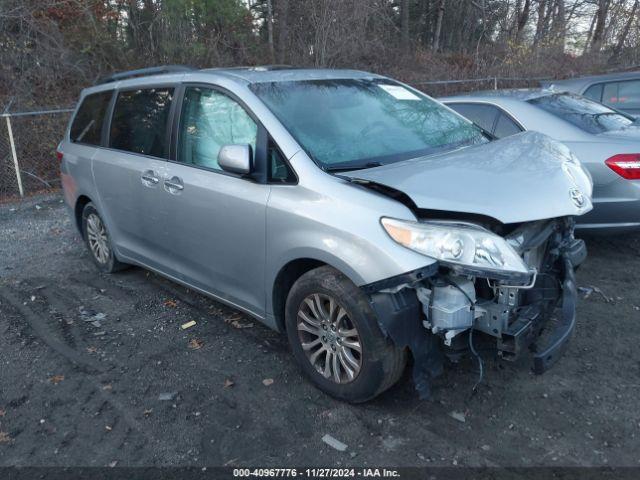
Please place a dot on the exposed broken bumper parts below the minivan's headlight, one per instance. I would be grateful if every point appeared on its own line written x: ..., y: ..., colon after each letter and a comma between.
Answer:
x: 536, y: 320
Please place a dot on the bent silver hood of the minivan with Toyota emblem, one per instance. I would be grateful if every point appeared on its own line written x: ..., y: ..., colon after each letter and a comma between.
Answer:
x: 521, y: 178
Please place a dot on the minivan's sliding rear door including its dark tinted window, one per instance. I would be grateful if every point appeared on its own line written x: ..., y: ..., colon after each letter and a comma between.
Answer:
x: 128, y: 174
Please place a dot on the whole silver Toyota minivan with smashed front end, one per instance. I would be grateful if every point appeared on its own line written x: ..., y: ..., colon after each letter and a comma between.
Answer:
x: 367, y: 221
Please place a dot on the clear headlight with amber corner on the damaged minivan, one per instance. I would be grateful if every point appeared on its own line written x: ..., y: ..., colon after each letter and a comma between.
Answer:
x: 457, y: 244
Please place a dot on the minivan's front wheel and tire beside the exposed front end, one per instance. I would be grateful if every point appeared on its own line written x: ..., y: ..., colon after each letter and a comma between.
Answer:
x: 324, y: 297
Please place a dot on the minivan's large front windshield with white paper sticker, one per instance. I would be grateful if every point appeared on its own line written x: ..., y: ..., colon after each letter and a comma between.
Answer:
x: 355, y: 123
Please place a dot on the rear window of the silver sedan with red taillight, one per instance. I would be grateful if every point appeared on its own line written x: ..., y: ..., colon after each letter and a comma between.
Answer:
x: 590, y: 116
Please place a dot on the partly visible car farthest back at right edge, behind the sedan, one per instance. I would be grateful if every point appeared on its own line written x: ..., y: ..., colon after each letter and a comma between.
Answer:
x: 617, y: 90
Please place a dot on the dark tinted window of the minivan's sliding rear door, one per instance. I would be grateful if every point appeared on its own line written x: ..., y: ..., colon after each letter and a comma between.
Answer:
x: 139, y: 123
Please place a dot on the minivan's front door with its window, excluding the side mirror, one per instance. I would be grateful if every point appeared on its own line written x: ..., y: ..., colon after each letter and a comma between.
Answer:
x: 216, y: 220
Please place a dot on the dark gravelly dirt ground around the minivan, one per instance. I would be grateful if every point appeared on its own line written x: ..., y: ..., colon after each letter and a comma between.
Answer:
x: 86, y: 361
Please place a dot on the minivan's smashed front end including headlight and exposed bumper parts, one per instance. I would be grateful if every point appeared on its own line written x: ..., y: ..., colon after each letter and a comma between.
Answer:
x: 450, y: 307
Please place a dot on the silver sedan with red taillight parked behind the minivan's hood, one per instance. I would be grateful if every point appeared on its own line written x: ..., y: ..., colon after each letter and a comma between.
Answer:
x: 606, y: 141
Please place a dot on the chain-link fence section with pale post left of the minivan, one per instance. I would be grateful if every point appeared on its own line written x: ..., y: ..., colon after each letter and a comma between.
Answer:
x: 28, y: 142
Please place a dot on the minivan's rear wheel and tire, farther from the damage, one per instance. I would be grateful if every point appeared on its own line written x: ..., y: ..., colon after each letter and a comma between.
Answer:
x: 98, y: 241
